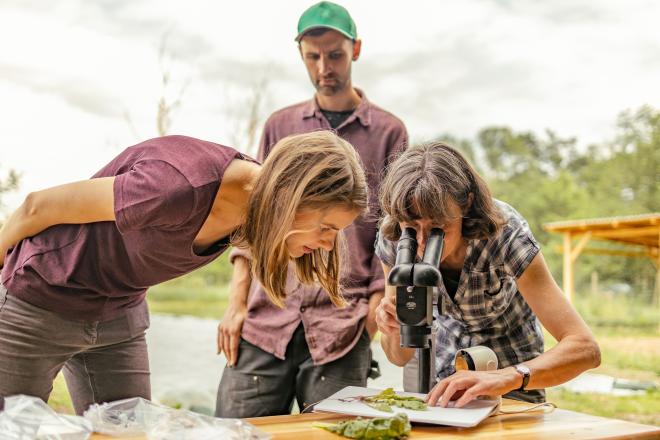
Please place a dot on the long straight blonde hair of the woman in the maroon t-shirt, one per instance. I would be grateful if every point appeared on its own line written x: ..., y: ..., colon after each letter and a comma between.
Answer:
x: 316, y: 170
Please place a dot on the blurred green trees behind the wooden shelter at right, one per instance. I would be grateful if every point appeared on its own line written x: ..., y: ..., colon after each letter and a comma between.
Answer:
x: 549, y: 179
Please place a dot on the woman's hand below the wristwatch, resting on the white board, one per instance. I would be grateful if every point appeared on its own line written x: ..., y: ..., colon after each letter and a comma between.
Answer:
x: 464, y: 386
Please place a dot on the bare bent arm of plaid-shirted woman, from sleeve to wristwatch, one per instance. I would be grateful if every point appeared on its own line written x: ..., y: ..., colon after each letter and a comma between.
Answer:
x: 576, y: 349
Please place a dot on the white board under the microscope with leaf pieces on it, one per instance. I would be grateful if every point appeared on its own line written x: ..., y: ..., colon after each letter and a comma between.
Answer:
x: 470, y: 415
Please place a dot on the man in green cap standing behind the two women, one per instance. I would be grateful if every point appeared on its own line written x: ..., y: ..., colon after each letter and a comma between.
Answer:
x: 311, y: 349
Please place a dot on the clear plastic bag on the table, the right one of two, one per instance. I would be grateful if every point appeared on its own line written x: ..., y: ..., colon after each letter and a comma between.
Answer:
x: 137, y: 416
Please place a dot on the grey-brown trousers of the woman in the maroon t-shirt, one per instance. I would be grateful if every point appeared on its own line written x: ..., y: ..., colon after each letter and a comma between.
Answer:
x: 102, y: 361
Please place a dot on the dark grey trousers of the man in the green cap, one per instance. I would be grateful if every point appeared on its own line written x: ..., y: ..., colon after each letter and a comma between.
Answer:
x: 262, y: 385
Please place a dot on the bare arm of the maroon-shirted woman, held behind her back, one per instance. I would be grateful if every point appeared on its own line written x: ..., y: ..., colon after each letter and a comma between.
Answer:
x: 86, y: 201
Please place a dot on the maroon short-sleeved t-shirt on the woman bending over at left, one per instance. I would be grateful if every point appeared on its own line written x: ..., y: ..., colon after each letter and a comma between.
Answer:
x: 164, y: 190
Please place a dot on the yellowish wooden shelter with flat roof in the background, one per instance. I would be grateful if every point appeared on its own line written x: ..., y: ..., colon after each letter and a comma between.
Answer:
x: 640, y: 232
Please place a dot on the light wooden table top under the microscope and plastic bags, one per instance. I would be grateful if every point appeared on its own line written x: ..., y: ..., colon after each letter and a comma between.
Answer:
x: 558, y: 424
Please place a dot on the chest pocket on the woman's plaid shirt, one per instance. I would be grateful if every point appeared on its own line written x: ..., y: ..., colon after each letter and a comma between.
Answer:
x: 489, y: 296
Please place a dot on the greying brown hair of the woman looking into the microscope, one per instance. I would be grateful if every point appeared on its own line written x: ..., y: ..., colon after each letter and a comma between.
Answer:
x: 421, y: 182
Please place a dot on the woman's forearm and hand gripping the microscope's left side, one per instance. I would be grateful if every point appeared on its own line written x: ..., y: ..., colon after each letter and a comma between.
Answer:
x: 390, y: 338
